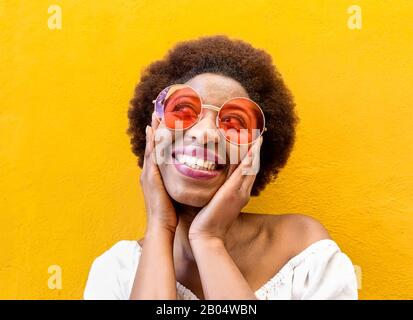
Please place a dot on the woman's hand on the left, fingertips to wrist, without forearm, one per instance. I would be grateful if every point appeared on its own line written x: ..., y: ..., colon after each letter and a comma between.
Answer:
x: 160, y: 210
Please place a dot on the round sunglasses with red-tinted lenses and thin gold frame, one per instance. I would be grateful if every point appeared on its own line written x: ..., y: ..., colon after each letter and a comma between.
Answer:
x: 239, y: 120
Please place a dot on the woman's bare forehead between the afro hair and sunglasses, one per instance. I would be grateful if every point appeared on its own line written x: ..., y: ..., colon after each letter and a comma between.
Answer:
x: 216, y: 89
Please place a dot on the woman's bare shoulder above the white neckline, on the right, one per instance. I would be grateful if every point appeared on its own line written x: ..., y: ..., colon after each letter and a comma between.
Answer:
x: 290, y: 233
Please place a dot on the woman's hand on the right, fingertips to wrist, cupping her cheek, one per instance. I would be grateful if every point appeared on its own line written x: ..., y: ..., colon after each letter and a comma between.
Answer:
x: 214, y: 220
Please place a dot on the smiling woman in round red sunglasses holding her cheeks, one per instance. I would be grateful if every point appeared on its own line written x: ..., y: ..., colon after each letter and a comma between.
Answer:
x: 208, y: 93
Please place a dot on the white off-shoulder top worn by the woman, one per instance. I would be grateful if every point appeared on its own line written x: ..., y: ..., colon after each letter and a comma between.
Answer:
x: 321, y: 271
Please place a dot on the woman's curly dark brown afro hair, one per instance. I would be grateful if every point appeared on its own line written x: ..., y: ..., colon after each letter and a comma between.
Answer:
x: 251, y: 67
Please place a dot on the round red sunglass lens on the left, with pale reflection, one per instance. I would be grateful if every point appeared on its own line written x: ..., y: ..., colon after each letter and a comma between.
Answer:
x: 181, y: 107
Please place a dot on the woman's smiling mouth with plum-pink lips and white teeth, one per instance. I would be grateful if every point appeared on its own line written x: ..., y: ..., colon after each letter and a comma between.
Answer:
x: 198, y: 163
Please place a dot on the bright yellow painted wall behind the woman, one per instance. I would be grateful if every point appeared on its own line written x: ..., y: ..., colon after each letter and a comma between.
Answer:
x: 69, y: 183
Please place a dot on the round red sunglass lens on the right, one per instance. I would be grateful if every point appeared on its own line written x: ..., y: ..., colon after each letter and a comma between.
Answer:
x: 241, y: 120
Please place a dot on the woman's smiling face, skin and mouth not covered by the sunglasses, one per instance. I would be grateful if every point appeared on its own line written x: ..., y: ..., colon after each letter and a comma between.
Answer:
x: 189, y: 179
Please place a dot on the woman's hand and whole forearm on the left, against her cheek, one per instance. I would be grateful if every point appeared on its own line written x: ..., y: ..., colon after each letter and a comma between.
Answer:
x: 155, y: 276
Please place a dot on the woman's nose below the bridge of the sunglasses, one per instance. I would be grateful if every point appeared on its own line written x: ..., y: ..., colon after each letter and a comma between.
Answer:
x: 205, y: 130
